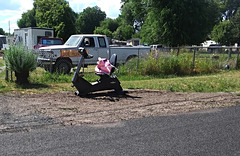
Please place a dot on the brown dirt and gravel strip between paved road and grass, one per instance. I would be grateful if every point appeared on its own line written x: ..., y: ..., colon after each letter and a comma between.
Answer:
x: 26, y: 112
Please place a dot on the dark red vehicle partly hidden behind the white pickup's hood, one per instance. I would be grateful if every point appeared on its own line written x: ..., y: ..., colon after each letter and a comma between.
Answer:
x: 46, y: 41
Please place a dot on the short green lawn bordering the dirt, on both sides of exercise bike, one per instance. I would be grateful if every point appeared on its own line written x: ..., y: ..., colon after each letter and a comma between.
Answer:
x: 225, y: 81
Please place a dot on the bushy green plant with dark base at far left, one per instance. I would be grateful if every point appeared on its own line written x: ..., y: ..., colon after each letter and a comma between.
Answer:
x: 21, y: 62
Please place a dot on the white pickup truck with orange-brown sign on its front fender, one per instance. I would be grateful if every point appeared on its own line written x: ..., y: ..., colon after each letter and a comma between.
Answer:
x: 63, y: 57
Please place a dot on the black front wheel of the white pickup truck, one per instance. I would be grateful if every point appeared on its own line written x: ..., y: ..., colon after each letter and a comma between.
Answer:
x: 63, y: 66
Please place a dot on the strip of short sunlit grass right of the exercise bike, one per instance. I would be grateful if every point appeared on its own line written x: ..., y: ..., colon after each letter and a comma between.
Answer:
x: 225, y: 81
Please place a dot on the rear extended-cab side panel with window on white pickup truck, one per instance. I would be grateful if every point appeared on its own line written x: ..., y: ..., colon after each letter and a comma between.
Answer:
x: 103, y: 50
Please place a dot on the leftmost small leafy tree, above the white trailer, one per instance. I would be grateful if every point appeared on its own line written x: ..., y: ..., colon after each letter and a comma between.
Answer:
x: 28, y: 19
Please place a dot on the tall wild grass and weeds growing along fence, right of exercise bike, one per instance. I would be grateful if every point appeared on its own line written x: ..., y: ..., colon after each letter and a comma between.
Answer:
x: 180, y: 65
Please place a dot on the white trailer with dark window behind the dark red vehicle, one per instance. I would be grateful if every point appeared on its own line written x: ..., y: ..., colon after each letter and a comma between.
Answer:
x: 31, y: 35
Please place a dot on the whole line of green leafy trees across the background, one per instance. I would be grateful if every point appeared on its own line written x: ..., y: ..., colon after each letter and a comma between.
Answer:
x: 170, y: 23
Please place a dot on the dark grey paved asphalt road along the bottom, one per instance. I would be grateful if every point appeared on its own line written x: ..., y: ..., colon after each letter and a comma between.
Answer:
x: 210, y: 133
